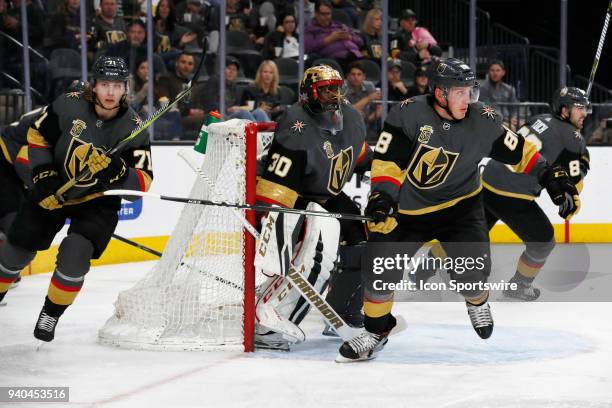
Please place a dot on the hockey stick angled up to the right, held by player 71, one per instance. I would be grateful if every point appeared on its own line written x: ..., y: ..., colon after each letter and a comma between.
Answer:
x: 59, y: 194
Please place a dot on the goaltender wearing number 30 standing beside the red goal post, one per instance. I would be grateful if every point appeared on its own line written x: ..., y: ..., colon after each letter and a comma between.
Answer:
x: 318, y: 145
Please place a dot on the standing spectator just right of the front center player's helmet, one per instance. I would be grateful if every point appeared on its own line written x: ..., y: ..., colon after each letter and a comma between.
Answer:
x: 495, y: 90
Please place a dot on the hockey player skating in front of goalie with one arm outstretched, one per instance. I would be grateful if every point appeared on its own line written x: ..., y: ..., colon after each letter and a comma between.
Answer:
x: 425, y: 185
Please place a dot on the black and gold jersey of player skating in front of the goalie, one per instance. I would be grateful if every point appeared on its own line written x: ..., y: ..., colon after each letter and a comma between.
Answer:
x: 428, y: 163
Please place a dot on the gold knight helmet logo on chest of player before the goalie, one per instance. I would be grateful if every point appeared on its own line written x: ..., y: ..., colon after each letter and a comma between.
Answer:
x: 430, y: 166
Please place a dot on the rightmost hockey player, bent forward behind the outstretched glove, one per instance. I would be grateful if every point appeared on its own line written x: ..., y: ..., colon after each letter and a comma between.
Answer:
x: 511, y: 197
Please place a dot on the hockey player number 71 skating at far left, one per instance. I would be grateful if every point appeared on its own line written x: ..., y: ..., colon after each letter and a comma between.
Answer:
x: 68, y: 137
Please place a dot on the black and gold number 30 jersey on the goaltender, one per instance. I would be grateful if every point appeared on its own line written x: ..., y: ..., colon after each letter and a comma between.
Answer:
x: 306, y: 161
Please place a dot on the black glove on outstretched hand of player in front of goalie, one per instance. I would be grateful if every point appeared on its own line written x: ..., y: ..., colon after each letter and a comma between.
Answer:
x: 561, y: 190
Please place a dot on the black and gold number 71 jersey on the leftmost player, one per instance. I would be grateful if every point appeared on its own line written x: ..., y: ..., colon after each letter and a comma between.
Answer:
x: 64, y: 131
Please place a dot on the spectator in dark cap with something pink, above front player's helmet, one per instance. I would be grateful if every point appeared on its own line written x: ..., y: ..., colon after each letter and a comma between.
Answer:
x: 412, y: 43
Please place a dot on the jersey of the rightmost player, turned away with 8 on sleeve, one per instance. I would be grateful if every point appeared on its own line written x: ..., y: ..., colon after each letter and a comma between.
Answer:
x: 556, y: 139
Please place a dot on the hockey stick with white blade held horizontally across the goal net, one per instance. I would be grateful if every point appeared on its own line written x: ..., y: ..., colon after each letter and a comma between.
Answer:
x: 262, y: 208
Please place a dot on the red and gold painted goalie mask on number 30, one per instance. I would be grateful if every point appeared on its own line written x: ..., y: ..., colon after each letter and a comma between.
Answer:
x: 321, y: 96
